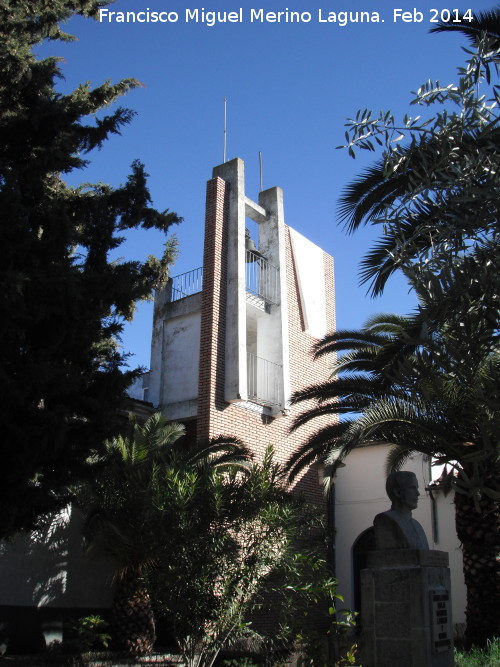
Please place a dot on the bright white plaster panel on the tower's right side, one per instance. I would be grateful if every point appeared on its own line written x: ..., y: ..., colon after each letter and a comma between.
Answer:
x: 309, y: 264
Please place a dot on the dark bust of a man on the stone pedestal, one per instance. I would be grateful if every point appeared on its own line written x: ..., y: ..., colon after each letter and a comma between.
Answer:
x: 396, y: 528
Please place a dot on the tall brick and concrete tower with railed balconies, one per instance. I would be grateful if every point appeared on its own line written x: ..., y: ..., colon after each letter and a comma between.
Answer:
x: 232, y: 340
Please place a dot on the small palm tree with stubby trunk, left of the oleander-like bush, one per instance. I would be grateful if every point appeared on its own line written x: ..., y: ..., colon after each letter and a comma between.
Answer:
x: 124, y: 517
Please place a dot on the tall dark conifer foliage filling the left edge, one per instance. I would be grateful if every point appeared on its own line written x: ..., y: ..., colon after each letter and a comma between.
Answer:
x: 65, y: 302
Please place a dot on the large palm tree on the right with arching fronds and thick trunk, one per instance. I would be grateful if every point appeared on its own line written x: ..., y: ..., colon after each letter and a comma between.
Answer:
x: 429, y: 383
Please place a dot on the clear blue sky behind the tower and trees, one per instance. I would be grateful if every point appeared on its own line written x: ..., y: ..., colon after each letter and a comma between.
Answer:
x: 289, y: 88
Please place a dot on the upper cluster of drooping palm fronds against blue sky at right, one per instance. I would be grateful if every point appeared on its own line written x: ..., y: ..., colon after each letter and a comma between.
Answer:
x: 419, y: 225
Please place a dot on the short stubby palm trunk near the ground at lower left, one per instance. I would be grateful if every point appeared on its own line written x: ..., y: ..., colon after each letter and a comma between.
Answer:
x: 132, y: 618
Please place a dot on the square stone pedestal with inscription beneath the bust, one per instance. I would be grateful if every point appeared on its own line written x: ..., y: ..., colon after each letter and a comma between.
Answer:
x: 406, y: 609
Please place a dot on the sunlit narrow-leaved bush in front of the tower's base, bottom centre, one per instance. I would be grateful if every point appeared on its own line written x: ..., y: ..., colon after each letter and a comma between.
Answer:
x: 232, y: 539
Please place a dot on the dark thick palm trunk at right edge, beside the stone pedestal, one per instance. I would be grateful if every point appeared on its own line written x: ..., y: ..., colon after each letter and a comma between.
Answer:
x: 479, y: 535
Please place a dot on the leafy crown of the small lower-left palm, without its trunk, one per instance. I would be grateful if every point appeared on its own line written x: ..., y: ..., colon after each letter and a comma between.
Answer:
x: 124, y: 503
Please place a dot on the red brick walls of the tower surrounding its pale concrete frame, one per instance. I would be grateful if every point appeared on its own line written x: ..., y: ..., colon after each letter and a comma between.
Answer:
x: 215, y: 416
